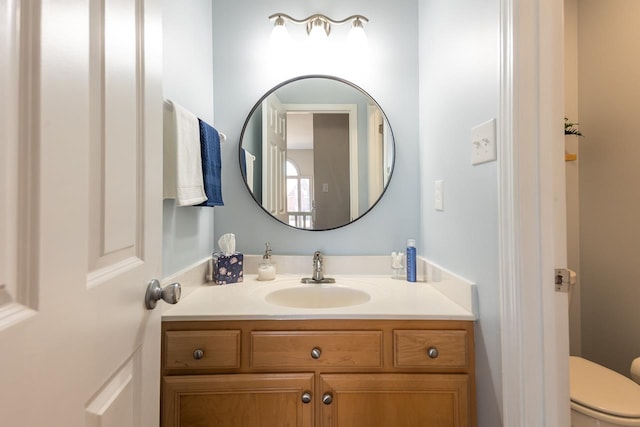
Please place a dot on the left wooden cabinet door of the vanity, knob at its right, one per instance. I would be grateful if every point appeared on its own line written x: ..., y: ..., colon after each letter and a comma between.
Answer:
x: 238, y: 400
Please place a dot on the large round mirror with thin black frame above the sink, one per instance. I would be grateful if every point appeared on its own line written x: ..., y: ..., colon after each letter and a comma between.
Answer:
x: 316, y: 152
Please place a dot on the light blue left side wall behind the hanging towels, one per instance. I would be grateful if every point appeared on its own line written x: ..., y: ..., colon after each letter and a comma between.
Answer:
x: 188, y: 80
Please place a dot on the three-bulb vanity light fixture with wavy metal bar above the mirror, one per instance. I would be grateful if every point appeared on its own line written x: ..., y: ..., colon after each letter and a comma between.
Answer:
x: 319, y: 25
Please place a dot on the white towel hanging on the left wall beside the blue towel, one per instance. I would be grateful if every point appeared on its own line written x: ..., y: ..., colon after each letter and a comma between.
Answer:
x: 182, y: 159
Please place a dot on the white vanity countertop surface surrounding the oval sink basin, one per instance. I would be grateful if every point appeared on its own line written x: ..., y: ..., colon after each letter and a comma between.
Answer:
x: 389, y: 299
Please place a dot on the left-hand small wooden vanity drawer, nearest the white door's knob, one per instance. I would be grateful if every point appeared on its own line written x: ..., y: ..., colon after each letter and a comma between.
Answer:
x: 202, y: 349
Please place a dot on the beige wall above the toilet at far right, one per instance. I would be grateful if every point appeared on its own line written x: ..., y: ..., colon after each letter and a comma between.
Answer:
x: 609, y: 66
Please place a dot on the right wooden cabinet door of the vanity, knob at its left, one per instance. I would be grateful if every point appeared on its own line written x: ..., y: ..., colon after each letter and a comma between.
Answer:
x: 398, y: 400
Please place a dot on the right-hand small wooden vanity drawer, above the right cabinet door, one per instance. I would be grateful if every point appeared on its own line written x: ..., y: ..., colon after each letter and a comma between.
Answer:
x: 430, y: 349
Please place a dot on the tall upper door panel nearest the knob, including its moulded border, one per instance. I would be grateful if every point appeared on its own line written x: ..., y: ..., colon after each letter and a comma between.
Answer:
x: 116, y: 138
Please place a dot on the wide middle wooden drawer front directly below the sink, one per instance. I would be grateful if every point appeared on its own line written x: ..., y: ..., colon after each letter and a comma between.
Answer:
x: 293, y: 349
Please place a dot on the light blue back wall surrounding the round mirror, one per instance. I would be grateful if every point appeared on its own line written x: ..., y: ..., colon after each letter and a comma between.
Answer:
x: 244, y: 71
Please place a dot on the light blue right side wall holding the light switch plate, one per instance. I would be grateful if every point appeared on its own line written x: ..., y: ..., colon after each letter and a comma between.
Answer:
x: 459, y: 89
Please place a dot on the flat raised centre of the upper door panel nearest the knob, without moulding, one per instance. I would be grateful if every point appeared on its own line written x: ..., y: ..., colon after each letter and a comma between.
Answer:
x: 120, y: 139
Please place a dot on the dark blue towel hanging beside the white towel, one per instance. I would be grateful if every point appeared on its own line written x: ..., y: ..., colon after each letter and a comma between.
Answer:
x: 211, y: 164
